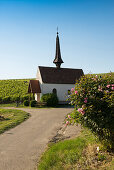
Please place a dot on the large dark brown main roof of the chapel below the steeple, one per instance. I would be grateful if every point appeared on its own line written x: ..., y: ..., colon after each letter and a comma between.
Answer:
x: 54, y: 75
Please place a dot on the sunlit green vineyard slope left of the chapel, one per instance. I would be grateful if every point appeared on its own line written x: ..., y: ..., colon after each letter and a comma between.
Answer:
x: 10, y: 90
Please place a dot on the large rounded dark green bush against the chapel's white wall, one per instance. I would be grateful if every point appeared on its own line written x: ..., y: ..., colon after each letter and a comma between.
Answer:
x: 50, y: 99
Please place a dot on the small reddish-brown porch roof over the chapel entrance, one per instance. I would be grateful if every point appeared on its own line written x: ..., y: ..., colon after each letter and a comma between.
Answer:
x: 34, y: 86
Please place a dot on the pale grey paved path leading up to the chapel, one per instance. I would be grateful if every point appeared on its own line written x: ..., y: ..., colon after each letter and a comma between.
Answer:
x: 21, y: 146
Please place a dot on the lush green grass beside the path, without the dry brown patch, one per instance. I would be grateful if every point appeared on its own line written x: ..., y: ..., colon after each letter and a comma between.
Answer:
x: 65, y: 153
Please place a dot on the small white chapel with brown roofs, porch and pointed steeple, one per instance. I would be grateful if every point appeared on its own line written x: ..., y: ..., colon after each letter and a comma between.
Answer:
x: 56, y: 79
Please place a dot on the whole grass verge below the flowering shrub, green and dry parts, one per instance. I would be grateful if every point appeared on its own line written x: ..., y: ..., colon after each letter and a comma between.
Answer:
x: 78, y: 153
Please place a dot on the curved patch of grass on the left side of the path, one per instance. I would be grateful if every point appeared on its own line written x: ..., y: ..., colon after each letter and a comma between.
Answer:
x: 11, y: 118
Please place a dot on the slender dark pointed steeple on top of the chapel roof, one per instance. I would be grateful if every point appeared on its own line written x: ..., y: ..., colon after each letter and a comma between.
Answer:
x: 58, y: 60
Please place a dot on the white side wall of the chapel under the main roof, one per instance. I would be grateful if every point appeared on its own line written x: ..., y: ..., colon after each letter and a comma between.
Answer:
x: 62, y: 89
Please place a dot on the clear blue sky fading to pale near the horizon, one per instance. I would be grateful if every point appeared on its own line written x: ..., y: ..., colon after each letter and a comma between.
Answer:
x: 28, y: 35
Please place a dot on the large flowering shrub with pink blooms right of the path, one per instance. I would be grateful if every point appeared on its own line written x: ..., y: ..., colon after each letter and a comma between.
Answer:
x: 93, y: 99
